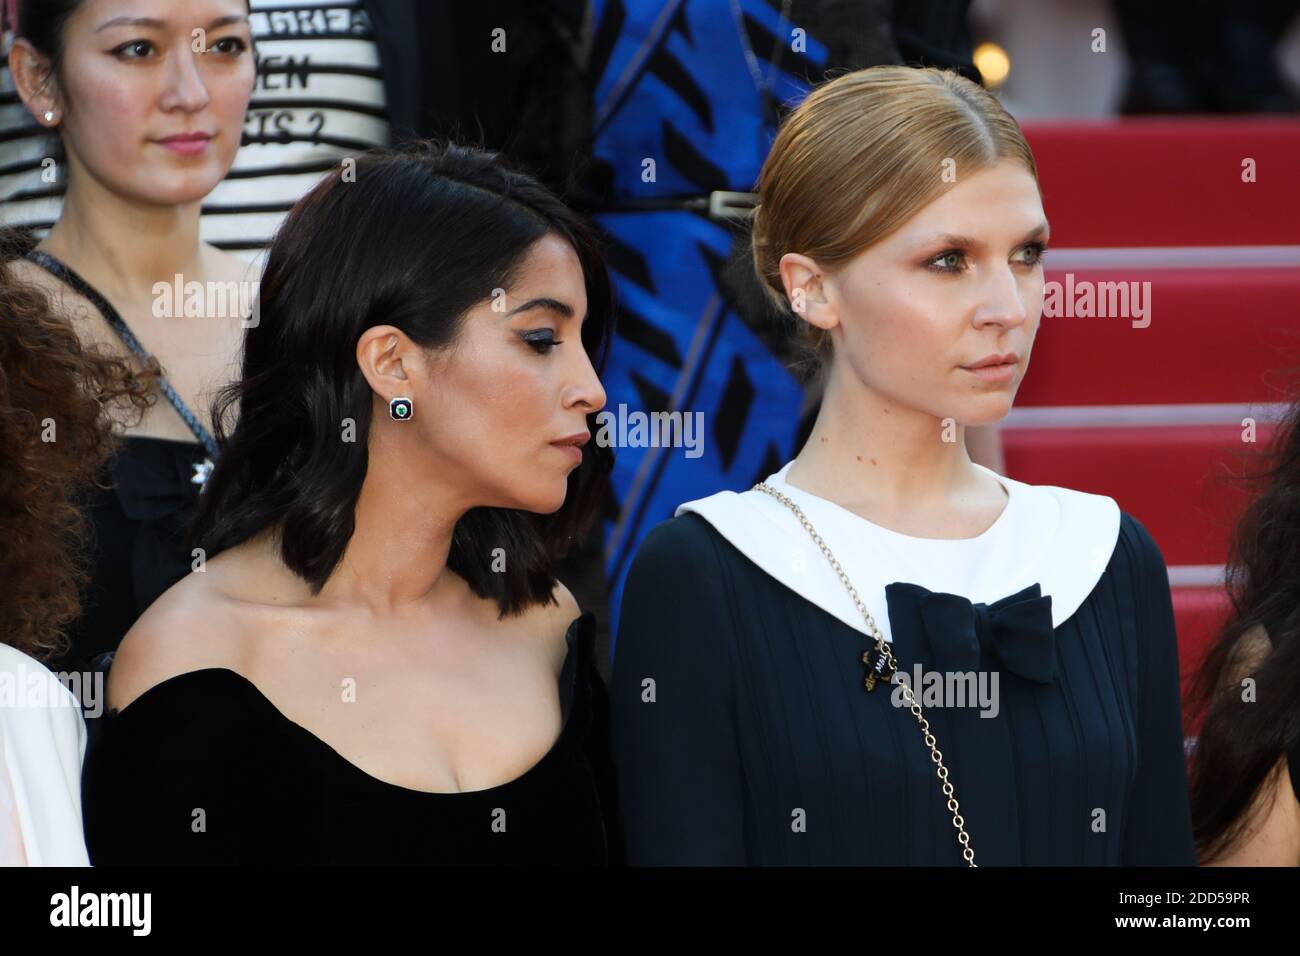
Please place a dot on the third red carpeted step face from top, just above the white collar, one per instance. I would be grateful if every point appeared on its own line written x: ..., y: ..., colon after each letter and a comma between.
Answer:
x: 1168, y: 478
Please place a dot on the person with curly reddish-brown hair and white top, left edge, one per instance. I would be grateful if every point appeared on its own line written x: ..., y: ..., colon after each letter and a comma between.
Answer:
x: 54, y: 440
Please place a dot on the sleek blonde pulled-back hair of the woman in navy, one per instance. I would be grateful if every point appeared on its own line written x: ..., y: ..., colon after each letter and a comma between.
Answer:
x: 859, y: 158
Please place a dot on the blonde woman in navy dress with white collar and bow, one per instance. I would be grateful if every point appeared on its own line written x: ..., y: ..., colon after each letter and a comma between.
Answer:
x: 887, y: 654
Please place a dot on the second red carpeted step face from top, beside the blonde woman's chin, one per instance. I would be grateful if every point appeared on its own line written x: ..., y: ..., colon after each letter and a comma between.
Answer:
x: 1215, y: 336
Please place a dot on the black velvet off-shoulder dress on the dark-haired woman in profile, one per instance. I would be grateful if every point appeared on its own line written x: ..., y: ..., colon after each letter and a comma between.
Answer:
x: 207, y: 746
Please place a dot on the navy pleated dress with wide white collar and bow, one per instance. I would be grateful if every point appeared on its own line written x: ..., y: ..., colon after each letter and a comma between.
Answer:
x: 1043, y: 654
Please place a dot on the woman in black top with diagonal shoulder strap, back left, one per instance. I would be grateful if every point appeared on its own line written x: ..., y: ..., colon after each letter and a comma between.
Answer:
x: 146, y: 101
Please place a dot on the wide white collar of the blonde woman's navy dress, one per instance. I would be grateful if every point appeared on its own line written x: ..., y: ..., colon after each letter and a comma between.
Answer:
x: 1056, y: 538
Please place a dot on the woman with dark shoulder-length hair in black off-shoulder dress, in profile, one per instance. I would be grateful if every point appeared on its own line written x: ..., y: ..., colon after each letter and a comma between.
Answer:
x: 374, y: 661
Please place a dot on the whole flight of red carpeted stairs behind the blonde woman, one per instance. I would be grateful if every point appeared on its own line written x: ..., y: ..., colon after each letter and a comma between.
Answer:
x: 1164, y: 202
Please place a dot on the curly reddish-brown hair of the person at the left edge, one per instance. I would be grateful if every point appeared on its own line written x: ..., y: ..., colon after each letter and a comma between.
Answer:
x: 57, y: 434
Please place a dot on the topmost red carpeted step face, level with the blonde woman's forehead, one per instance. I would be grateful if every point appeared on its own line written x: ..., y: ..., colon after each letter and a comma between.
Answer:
x: 1169, y: 181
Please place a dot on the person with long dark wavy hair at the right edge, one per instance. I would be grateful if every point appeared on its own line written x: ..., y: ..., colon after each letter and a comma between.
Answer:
x: 1246, y: 768
